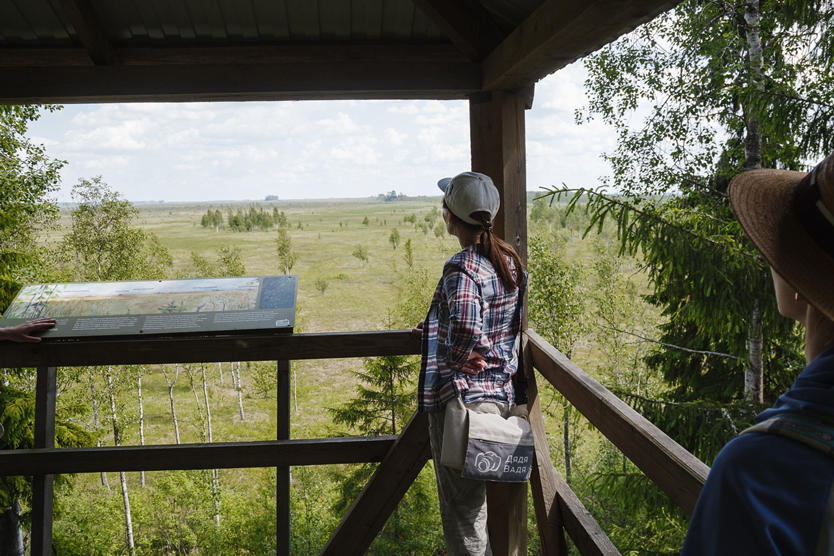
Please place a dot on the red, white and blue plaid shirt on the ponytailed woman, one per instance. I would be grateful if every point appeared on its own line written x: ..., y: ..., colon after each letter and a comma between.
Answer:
x: 470, y: 310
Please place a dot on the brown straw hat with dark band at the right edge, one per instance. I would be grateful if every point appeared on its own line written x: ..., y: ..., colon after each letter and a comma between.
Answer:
x: 789, y: 216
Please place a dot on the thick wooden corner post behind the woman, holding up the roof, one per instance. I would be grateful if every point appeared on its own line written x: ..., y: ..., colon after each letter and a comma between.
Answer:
x: 496, y: 122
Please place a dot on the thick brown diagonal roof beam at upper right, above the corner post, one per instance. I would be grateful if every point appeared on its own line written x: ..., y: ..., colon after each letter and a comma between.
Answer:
x: 559, y: 32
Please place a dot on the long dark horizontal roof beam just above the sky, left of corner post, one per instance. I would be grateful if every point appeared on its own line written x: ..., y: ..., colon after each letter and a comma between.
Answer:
x: 332, y: 80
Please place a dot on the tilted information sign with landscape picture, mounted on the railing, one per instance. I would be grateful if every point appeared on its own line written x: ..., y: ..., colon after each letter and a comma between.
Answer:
x: 159, y: 306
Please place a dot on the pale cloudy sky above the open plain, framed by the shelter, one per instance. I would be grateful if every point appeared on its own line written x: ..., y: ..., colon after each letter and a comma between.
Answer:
x: 309, y: 149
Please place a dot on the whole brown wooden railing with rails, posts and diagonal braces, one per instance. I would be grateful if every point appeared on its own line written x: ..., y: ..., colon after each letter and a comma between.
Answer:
x: 558, y: 509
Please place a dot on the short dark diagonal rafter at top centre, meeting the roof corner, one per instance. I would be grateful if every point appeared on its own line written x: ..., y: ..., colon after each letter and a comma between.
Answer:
x: 466, y: 23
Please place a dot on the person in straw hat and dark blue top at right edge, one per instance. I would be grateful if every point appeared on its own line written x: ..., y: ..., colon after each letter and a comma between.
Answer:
x: 770, y: 489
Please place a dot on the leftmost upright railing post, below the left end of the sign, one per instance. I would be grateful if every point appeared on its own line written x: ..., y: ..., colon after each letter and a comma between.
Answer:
x: 42, y: 484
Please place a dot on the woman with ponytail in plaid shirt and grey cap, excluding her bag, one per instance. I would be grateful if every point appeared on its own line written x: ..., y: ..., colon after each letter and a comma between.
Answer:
x: 470, y: 338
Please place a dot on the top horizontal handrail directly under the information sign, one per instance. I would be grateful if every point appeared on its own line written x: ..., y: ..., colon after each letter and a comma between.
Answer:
x: 208, y: 348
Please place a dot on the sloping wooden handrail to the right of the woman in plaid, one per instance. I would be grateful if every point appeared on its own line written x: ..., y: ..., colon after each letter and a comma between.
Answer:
x: 670, y: 466
